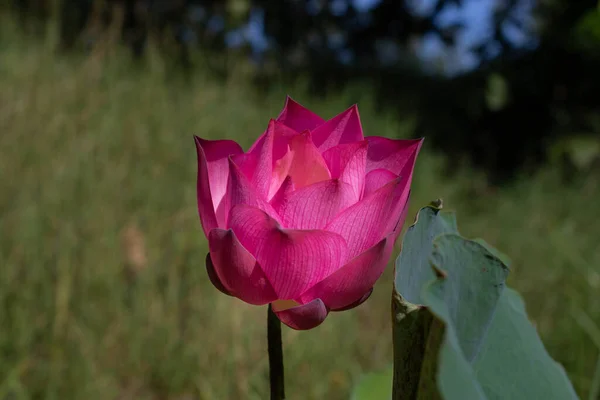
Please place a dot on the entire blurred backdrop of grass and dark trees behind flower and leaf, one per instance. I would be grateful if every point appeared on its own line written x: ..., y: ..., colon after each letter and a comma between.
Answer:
x: 103, y: 291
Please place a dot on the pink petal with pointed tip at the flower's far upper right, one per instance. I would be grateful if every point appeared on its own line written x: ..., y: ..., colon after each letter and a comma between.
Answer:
x: 390, y: 154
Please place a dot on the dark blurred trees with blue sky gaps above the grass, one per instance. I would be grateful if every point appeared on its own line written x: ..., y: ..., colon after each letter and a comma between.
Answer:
x: 534, y: 83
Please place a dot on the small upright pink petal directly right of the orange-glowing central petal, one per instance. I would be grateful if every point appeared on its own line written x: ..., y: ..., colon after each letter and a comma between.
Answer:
x: 348, y: 163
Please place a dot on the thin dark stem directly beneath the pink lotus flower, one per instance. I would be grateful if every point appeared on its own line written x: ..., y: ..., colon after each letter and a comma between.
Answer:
x: 275, y: 356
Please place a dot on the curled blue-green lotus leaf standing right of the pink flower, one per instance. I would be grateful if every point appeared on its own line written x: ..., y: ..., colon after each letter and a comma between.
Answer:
x: 458, y: 332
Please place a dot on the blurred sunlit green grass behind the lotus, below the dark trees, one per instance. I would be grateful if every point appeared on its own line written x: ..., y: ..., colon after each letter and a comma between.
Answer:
x: 103, y: 290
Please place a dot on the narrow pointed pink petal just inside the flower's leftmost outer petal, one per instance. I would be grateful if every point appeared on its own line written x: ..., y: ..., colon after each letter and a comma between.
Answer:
x: 241, y: 191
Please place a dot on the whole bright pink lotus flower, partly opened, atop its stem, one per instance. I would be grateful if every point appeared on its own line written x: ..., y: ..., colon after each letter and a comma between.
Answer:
x: 307, y: 218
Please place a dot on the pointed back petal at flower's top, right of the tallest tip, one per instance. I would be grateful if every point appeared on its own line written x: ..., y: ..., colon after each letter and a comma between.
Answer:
x: 343, y: 128
